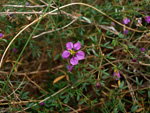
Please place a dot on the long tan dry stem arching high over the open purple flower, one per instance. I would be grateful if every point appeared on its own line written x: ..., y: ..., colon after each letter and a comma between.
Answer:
x: 56, y: 10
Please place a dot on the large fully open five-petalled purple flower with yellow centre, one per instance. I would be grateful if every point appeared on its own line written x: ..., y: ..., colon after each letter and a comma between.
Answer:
x: 76, y: 56
